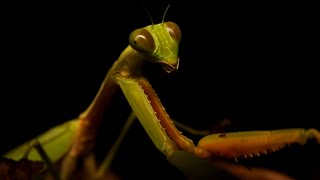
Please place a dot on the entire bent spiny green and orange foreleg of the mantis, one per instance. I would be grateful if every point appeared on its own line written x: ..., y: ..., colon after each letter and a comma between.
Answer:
x: 227, y: 145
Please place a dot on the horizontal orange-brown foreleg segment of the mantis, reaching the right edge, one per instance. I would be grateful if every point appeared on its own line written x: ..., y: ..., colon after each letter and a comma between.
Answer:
x: 250, y: 143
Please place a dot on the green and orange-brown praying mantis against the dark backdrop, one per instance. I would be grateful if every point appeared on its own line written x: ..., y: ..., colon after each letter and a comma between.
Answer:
x: 157, y: 43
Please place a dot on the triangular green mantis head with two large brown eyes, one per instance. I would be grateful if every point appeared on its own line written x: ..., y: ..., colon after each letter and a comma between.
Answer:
x: 159, y: 43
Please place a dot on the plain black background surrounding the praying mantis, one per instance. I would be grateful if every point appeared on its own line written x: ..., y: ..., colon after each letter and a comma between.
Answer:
x: 254, y: 64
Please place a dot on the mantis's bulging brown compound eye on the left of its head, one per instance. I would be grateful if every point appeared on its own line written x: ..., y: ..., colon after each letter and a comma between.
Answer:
x: 141, y: 40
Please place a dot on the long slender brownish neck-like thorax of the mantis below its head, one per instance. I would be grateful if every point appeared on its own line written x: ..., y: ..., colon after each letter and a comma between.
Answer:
x: 127, y: 65
